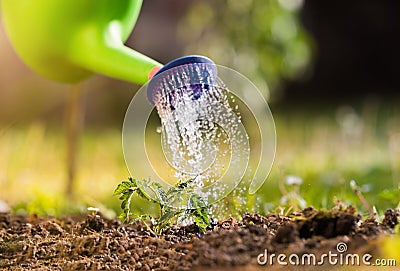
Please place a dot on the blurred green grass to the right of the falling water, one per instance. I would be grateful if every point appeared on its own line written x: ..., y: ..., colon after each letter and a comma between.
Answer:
x: 329, y: 150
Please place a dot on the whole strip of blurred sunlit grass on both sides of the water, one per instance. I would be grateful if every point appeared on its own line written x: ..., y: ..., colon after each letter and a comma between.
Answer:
x: 321, y: 154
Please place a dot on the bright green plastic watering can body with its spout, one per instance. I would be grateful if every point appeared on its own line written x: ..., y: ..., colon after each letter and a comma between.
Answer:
x: 69, y: 40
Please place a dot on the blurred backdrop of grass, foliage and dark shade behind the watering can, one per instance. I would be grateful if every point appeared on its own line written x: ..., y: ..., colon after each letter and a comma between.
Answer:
x: 328, y: 70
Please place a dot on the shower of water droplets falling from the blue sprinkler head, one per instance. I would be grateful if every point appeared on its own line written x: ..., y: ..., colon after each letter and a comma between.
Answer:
x: 202, y: 135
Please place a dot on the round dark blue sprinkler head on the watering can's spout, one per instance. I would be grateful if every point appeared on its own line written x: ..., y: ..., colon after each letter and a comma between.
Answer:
x: 192, y: 74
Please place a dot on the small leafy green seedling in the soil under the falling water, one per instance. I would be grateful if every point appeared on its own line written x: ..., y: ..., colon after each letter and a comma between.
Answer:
x: 195, y: 209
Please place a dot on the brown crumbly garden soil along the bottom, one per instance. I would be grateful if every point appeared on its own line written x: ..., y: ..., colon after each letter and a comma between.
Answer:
x: 92, y: 242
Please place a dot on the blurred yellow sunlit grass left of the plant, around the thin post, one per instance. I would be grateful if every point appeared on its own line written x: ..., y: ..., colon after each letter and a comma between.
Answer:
x: 33, y: 169
